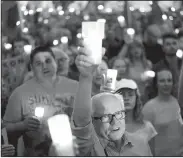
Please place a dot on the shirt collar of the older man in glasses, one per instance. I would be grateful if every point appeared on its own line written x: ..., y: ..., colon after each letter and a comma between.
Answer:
x: 104, y: 142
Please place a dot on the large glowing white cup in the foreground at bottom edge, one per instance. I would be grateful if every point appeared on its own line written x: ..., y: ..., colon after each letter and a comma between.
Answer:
x: 61, y: 135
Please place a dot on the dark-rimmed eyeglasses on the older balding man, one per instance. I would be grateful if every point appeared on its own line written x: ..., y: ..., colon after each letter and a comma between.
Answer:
x: 119, y: 115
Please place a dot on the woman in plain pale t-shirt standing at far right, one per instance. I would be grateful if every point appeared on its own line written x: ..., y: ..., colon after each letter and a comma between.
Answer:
x: 164, y: 113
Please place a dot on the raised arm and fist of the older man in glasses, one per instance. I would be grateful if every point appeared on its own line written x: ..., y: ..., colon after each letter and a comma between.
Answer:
x: 82, y: 124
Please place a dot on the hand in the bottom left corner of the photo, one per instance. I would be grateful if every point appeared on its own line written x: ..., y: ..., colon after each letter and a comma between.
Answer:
x: 7, y: 150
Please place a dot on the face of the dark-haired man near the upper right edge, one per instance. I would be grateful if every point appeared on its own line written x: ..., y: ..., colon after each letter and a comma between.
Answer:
x: 170, y: 46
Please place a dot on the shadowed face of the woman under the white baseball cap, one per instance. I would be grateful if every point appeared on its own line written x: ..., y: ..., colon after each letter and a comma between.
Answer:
x: 129, y: 96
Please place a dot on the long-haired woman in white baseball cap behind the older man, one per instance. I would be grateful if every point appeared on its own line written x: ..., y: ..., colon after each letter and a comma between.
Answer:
x: 133, y: 106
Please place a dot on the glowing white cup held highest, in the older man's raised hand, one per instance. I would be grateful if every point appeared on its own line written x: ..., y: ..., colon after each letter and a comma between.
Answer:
x: 93, y: 33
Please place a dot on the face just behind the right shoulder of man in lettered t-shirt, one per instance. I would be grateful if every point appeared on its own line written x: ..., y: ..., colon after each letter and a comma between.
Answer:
x: 63, y: 63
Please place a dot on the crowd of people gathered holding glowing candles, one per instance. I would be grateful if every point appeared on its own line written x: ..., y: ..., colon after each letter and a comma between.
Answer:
x: 142, y: 116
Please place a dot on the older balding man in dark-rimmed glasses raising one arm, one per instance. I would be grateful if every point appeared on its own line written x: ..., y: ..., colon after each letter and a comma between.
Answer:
x: 99, y: 123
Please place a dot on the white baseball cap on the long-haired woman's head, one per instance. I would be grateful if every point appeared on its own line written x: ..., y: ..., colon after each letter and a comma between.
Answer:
x: 126, y: 83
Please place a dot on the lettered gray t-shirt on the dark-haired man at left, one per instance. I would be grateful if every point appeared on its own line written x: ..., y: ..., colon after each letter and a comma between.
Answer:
x: 31, y: 94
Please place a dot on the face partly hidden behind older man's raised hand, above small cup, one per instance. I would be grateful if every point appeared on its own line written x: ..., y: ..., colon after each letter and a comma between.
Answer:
x: 98, y: 75
